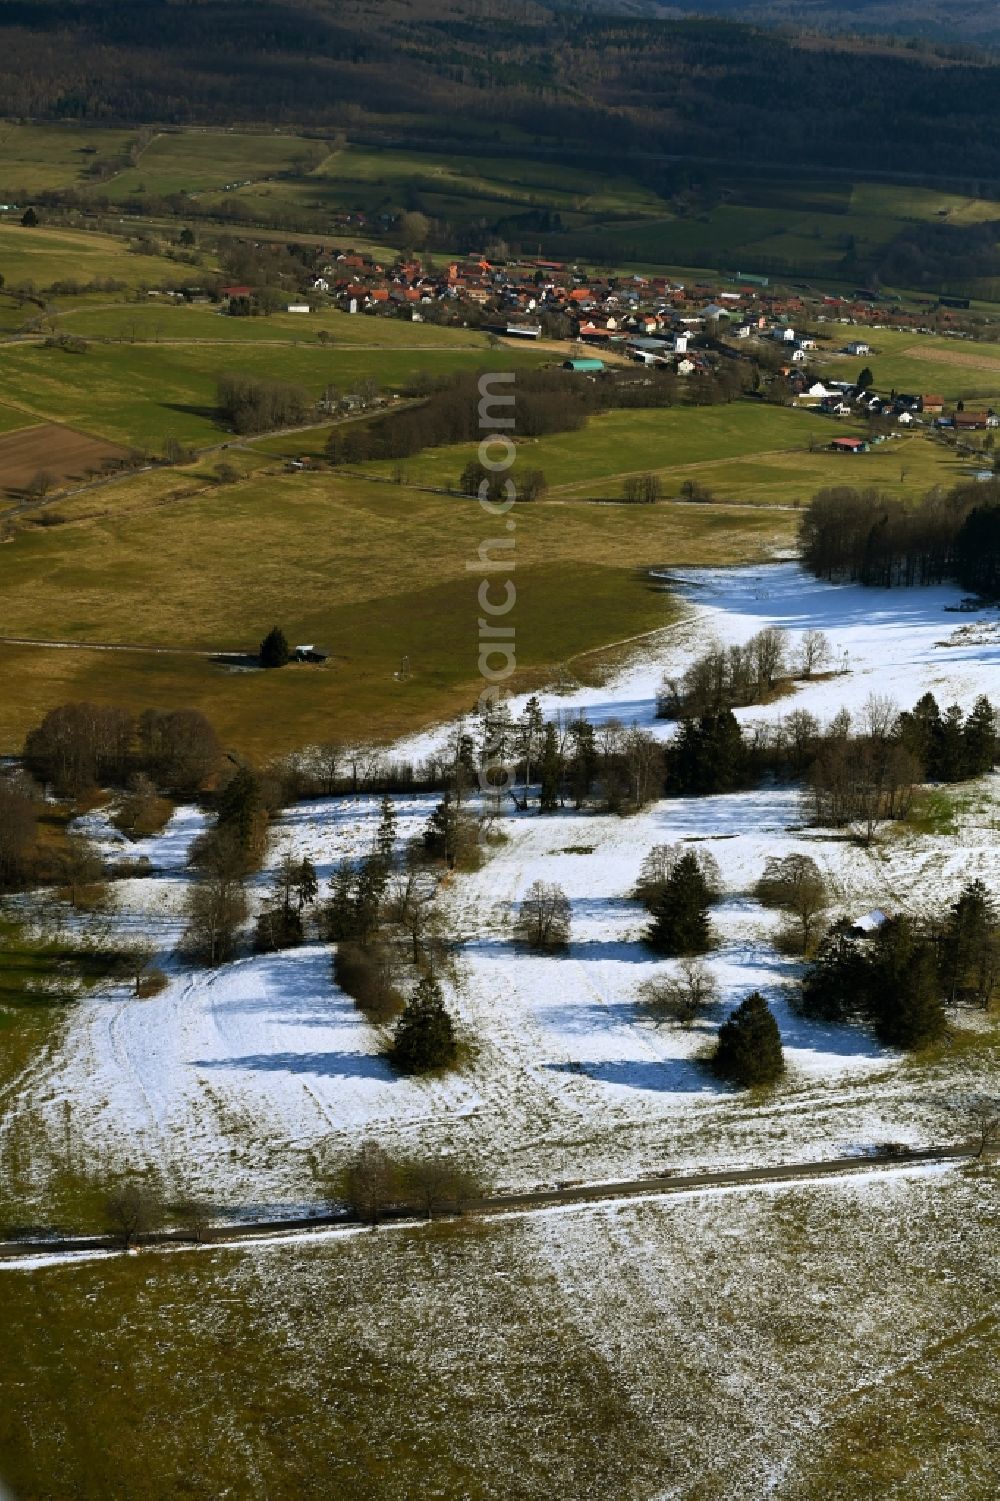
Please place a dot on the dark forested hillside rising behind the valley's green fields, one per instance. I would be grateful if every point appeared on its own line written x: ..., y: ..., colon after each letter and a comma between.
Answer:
x: 522, y: 74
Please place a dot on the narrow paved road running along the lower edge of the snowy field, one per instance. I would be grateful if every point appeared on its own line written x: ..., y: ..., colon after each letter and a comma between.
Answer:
x: 538, y: 1200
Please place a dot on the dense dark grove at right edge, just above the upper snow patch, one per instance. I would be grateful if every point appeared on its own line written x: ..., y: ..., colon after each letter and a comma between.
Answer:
x: 879, y: 541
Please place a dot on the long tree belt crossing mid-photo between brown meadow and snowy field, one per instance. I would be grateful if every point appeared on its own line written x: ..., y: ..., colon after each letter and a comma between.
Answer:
x: 860, y: 769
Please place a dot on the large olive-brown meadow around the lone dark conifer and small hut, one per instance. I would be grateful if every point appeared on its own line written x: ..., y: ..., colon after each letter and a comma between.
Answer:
x: 375, y: 573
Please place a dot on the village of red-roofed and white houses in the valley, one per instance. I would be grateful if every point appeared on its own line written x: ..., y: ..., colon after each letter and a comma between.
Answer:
x: 794, y: 338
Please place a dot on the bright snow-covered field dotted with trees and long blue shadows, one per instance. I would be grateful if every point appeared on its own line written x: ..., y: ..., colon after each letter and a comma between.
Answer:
x: 236, y: 1081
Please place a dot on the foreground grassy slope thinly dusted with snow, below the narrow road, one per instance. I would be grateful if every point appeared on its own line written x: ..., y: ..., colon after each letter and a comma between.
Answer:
x: 801, y: 1344
